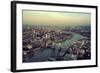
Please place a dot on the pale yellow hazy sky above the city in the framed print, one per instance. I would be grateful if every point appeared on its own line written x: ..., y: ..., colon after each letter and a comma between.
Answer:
x: 30, y: 17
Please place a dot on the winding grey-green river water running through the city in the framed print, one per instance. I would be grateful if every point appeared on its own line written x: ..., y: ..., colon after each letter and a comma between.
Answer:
x: 45, y: 54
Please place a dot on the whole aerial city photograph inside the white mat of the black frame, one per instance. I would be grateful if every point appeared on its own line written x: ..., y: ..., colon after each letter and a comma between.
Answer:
x: 56, y: 36
